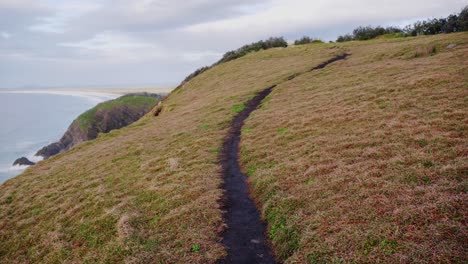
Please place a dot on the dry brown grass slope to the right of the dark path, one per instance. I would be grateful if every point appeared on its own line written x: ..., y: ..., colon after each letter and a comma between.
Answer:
x: 366, y: 160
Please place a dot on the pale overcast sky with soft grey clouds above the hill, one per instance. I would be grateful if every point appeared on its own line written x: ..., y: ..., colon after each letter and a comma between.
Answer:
x: 68, y: 43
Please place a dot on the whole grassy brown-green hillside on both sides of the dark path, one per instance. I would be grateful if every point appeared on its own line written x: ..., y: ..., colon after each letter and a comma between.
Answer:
x: 362, y: 161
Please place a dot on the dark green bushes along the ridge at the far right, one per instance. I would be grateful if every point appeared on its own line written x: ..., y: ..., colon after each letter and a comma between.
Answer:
x: 453, y: 23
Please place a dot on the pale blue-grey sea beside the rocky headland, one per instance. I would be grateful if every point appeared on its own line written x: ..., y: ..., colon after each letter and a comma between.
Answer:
x: 31, y: 120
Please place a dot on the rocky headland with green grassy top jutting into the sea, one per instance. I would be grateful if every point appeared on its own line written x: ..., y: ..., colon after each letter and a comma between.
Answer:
x: 113, y: 114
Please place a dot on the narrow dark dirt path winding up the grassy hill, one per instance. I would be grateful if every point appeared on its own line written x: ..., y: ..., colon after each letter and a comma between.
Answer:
x: 245, y: 236
